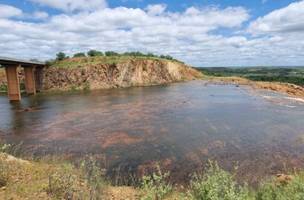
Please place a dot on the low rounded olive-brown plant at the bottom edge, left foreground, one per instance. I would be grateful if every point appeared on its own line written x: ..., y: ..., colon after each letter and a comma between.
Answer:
x: 61, y: 185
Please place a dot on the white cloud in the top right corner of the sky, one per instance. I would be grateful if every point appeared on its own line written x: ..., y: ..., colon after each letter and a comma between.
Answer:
x: 289, y: 19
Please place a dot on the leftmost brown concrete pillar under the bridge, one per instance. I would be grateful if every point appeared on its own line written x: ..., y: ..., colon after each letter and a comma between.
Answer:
x: 13, y: 83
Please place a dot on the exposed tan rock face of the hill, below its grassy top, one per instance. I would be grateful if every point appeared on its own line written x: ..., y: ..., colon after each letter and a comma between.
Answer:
x: 133, y: 72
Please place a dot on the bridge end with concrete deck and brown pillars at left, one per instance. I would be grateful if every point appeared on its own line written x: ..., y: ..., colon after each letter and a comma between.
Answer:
x: 33, y: 73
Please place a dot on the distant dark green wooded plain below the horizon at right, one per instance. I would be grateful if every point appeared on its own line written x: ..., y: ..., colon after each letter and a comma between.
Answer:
x: 287, y: 75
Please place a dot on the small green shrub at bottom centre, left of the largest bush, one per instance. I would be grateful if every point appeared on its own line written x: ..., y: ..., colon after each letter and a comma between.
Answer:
x: 155, y: 187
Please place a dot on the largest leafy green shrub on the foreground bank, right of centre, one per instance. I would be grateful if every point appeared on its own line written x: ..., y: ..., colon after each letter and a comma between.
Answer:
x: 217, y: 184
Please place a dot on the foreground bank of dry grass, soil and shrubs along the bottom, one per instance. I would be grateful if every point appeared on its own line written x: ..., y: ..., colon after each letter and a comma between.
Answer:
x: 53, y: 178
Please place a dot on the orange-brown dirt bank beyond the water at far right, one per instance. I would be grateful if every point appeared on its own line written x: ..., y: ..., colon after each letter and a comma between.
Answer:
x: 287, y: 88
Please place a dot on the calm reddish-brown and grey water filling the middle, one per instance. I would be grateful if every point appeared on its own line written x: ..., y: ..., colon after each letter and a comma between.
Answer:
x: 179, y: 127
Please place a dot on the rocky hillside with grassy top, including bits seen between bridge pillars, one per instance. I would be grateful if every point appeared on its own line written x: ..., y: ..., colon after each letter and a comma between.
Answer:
x: 103, y: 72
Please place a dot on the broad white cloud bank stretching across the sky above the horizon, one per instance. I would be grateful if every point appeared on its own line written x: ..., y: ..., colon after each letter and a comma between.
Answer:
x: 192, y: 35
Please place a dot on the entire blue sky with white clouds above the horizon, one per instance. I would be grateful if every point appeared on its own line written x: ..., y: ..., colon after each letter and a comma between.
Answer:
x: 199, y: 32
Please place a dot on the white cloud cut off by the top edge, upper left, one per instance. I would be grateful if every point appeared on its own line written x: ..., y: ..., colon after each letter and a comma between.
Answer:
x: 73, y: 5
